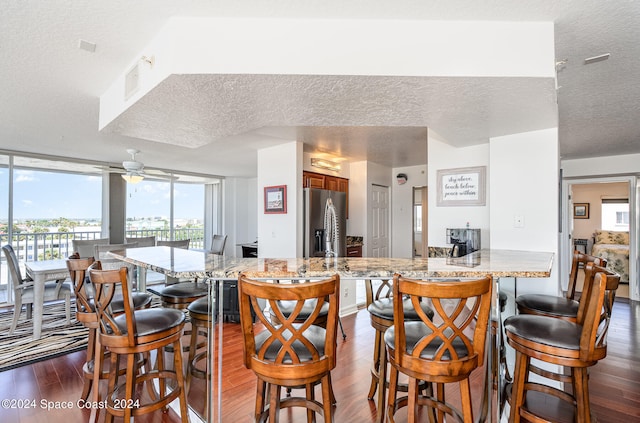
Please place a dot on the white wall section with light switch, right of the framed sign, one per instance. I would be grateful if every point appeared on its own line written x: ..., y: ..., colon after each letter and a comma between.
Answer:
x: 524, y: 180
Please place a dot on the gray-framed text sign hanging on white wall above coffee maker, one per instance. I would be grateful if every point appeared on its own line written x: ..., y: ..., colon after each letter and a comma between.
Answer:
x: 463, y: 186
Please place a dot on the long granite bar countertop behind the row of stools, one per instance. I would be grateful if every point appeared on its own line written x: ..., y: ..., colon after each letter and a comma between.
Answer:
x: 176, y: 262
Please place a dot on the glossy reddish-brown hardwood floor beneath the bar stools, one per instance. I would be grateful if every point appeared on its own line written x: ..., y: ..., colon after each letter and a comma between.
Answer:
x: 614, y: 381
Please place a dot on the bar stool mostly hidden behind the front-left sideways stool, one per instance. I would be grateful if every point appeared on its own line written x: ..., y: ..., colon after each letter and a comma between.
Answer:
x: 86, y: 314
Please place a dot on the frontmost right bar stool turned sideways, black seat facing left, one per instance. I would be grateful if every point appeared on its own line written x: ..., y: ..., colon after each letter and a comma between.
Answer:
x: 574, y: 345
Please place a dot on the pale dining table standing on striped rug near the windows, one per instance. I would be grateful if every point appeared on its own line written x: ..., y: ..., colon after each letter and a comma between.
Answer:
x: 41, y: 272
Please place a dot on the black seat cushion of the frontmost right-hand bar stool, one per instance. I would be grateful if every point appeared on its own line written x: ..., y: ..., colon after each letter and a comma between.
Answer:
x: 545, y: 330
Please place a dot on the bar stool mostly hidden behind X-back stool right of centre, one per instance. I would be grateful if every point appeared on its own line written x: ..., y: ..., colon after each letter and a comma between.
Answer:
x: 380, y: 307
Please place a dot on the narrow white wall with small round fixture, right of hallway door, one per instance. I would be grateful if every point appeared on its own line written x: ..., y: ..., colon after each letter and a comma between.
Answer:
x: 402, y: 209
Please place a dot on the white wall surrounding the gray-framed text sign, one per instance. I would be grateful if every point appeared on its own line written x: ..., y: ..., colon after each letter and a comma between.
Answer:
x: 443, y: 156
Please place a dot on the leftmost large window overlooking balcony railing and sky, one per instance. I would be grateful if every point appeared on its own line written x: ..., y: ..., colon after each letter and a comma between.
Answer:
x: 49, y: 203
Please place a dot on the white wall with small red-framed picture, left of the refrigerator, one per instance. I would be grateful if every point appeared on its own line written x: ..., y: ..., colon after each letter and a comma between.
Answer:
x: 278, y: 233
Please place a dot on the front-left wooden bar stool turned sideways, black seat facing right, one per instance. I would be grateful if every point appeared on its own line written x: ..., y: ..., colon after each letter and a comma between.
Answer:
x: 132, y: 333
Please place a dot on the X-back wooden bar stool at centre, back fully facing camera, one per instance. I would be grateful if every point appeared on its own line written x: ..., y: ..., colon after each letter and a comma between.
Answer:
x: 291, y: 353
